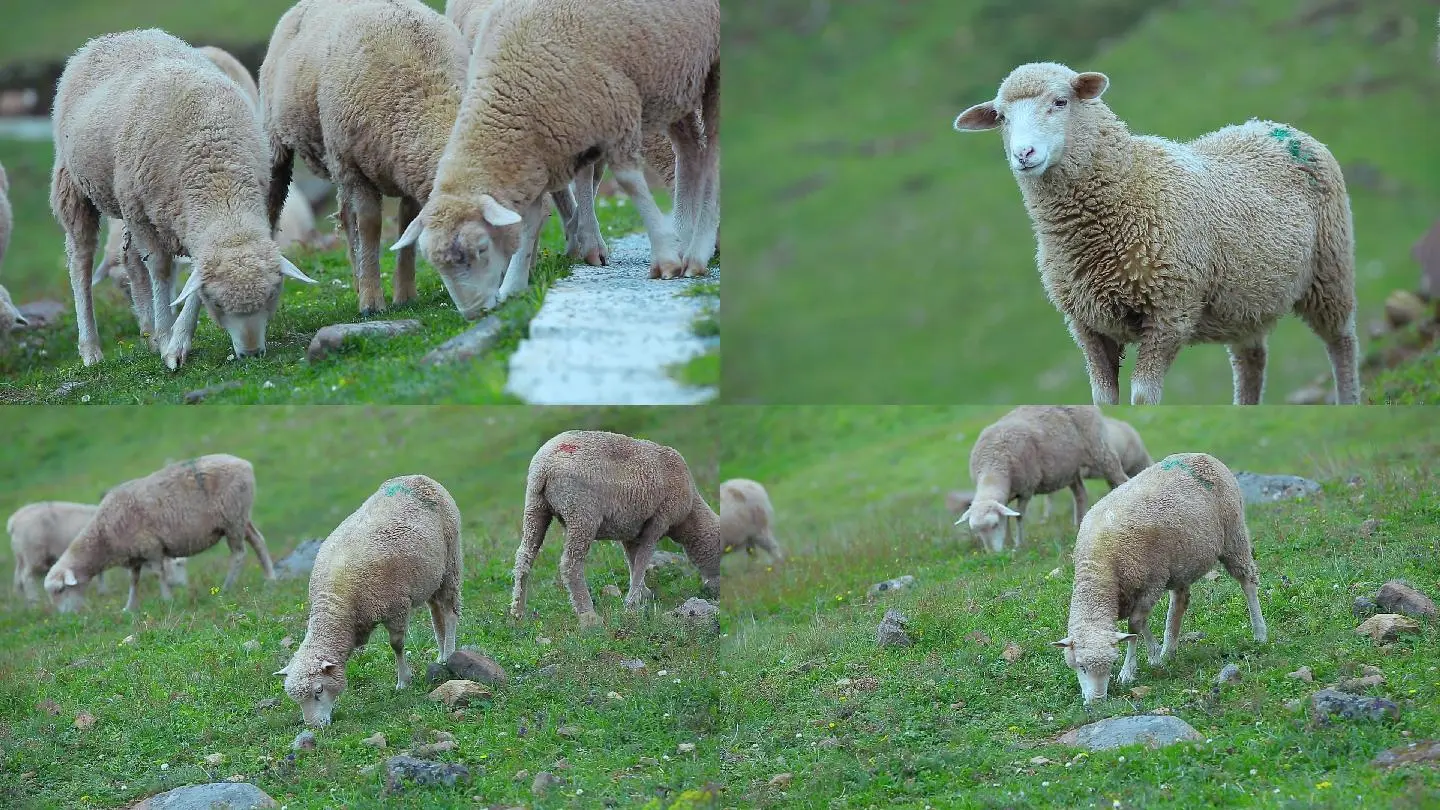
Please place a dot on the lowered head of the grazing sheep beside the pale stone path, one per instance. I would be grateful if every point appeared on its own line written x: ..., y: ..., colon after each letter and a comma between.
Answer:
x: 470, y: 244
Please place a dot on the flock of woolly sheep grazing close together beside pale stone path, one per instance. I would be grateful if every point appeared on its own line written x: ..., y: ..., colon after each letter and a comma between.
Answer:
x: 476, y: 120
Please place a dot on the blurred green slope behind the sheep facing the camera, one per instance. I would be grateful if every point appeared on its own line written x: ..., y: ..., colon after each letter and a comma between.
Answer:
x: 856, y: 185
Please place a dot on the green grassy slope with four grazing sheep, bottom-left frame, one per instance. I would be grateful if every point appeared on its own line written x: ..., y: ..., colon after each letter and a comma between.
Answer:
x: 185, y: 688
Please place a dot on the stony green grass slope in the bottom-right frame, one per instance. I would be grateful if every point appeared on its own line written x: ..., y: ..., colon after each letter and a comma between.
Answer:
x: 859, y: 495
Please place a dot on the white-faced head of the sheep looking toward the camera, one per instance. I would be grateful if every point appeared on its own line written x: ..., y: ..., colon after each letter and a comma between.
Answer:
x: 1036, y: 109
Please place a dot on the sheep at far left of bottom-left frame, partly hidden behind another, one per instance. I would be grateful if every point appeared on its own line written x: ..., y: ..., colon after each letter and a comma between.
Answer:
x: 41, y: 533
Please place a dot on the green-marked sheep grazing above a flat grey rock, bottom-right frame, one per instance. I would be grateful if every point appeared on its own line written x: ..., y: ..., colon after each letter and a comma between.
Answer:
x: 1161, y: 531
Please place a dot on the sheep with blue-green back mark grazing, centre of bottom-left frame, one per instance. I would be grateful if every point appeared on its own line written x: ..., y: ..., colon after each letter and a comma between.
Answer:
x: 398, y: 551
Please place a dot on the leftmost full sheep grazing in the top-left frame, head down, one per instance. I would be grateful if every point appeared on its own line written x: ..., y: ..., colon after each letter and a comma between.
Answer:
x: 150, y: 132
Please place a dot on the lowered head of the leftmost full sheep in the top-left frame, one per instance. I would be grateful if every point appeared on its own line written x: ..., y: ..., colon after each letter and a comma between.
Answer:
x: 240, y: 282
